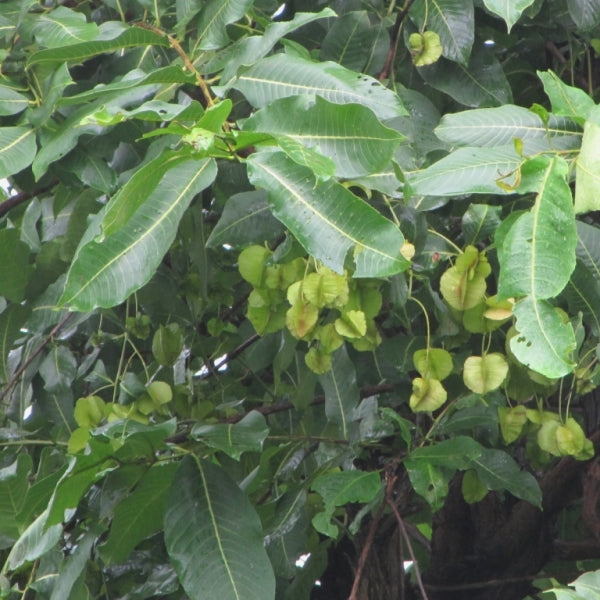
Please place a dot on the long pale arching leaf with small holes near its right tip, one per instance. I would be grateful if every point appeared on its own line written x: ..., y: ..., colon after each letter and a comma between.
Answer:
x: 283, y: 75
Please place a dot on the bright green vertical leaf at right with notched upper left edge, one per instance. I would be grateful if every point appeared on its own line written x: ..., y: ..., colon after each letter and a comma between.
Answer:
x: 537, y: 255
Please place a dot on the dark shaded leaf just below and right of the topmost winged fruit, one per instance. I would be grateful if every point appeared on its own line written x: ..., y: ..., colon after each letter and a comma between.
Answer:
x: 481, y: 83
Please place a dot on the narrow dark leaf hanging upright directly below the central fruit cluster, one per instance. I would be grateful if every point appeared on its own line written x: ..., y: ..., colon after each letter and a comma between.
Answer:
x: 341, y: 393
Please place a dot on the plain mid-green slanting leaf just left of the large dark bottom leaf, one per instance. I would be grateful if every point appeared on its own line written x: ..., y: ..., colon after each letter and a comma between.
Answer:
x: 139, y: 514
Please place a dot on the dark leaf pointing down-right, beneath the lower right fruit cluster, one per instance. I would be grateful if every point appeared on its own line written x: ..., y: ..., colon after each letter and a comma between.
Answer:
x: 498, y: 471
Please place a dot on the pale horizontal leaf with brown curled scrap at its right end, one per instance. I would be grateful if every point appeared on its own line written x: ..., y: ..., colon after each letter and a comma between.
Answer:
x: 468, y: 171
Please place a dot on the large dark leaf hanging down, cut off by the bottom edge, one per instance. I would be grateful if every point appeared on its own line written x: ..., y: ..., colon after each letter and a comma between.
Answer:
x: 214, y: 536
